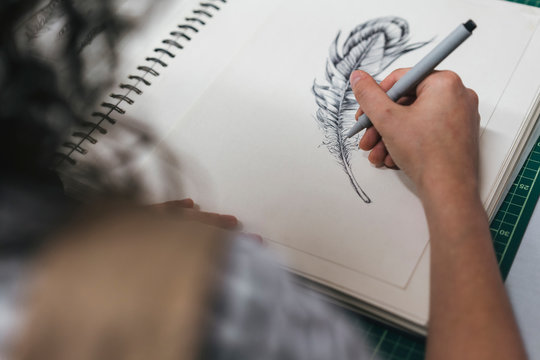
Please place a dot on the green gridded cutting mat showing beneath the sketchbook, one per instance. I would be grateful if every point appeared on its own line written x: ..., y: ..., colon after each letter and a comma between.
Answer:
x: 507, y: 229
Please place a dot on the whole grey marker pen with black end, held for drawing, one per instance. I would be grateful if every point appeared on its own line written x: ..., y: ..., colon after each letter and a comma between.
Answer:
x: 421, y: 70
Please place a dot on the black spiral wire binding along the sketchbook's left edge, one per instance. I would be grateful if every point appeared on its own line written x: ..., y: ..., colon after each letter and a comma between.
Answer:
x: 165, y: 52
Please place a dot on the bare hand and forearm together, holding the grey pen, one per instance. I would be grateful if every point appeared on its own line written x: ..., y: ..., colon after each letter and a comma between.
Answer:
x: 435, y: 142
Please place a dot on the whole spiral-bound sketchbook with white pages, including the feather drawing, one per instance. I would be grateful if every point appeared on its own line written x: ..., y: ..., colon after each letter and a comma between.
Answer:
x: 249, y: 100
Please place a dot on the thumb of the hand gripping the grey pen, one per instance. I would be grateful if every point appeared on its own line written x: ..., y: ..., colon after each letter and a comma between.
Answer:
x: 373, y: 100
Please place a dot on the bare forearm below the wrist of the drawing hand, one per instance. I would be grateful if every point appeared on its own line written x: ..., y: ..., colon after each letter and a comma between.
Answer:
x: 470, y: 315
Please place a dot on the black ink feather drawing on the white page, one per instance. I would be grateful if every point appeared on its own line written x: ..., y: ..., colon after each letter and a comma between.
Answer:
x: 372, y: 47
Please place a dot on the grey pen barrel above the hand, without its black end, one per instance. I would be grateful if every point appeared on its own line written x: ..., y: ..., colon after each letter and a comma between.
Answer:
x: 428, y: 63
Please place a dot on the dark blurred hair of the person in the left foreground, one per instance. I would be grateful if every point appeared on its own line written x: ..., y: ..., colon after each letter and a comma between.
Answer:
x: 43, y: 98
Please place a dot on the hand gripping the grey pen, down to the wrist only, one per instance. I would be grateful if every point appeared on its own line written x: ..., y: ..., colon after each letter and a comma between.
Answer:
x: 432, y: 134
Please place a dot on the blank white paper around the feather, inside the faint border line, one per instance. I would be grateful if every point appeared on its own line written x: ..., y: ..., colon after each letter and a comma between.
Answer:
x: 251, y: 146
